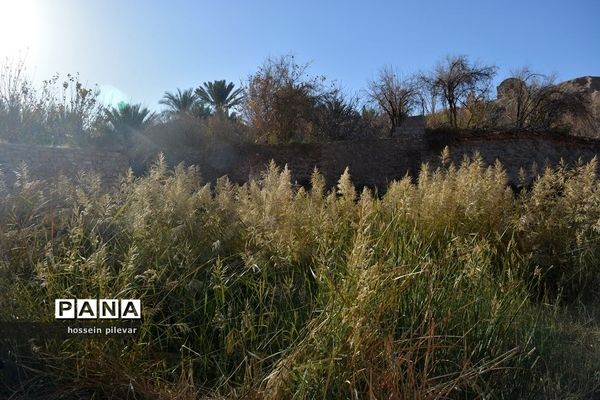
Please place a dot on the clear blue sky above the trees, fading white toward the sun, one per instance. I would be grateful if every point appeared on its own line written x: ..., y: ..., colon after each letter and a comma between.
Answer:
x: 143, y: 48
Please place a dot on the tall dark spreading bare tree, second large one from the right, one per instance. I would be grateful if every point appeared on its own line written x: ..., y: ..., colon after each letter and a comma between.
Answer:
x: 457, y: 82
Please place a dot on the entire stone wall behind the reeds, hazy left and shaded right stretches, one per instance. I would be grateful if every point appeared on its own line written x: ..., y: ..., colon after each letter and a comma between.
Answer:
x: 372, y: 163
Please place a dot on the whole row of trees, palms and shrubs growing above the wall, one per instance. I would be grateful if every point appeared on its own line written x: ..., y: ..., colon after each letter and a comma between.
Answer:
x: 284, y: 102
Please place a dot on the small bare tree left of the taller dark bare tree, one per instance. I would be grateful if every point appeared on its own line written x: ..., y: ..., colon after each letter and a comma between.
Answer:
x: 396, y: 97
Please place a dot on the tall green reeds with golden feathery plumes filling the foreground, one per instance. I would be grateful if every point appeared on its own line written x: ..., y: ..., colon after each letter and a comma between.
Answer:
x: 452, y: 287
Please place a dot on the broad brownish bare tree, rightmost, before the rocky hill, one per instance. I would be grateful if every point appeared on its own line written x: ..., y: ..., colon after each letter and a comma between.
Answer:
x: 533, y: 101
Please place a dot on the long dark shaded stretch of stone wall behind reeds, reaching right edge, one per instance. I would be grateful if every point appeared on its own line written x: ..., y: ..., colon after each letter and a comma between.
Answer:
x: 375, y: 163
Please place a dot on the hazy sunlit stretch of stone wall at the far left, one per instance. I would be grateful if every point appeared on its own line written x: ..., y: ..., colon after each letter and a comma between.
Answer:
x: 50, y: 162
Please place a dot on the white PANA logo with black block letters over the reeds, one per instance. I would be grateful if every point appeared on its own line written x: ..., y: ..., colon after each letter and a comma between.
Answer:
x: 97, y: 309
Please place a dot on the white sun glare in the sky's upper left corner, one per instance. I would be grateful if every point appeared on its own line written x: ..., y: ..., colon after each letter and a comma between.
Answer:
x: 18, y: 27
